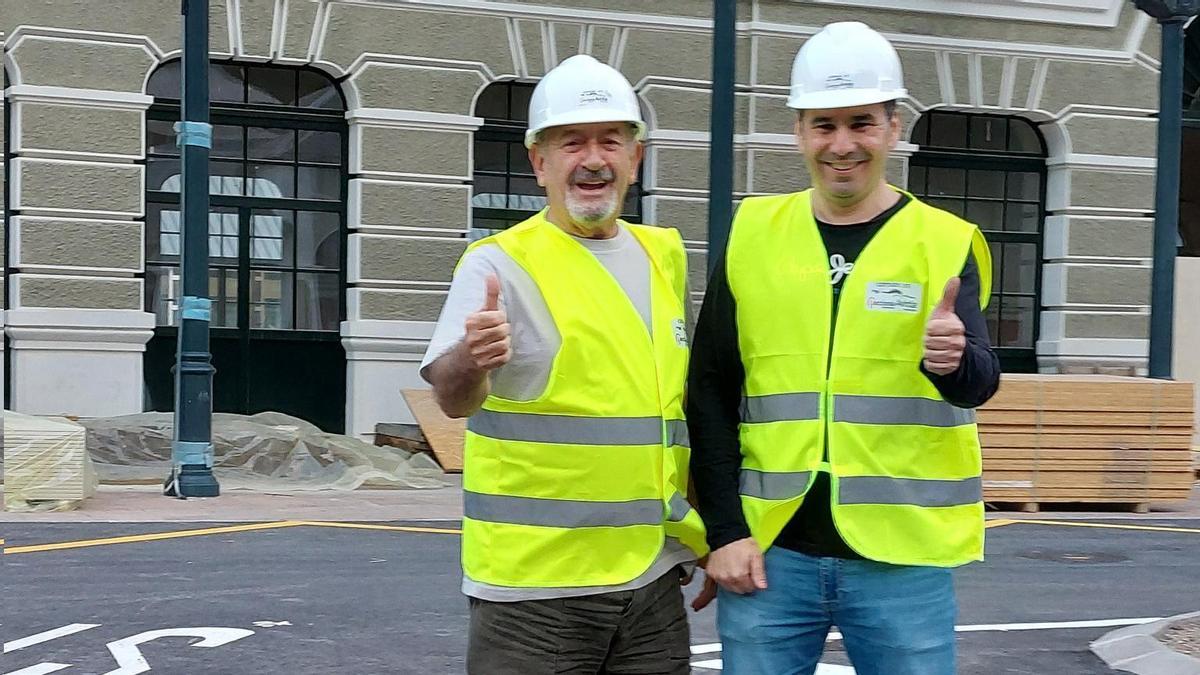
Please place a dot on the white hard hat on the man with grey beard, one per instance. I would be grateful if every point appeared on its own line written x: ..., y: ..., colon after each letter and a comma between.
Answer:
x: 583, y: 91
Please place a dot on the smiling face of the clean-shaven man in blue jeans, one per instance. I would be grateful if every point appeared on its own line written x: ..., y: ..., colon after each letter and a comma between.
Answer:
x: 847, y: 150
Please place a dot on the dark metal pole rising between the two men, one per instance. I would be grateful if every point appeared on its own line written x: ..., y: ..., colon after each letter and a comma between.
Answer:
x: 721, y: 160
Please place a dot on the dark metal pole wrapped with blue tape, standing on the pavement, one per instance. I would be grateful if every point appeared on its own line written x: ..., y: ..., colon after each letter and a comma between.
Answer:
x: 193, y: 450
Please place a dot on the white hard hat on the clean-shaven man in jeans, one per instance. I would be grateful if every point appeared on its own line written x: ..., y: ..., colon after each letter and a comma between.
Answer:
x: 845, y: 65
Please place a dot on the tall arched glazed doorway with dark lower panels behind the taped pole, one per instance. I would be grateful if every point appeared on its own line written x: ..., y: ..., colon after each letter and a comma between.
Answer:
x: 277, y: 240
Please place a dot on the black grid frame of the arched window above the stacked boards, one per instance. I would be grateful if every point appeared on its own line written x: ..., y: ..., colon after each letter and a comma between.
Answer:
x: 970, y: 158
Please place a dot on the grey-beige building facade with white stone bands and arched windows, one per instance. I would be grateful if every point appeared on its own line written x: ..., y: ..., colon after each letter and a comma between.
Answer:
x: 361, y: 145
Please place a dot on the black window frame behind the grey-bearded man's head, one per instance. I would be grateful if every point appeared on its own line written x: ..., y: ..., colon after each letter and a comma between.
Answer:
x: 511, y: 130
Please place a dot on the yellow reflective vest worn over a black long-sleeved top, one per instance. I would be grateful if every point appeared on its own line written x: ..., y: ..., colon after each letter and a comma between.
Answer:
x: 904, y: 464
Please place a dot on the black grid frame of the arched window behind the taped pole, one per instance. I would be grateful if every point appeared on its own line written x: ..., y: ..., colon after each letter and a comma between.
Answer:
x: 248, y: 116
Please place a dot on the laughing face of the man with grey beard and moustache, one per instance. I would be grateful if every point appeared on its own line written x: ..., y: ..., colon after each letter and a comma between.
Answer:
x: 586, y: 170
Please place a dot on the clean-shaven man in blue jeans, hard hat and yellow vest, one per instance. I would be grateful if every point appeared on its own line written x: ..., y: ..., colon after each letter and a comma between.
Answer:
x: 838, y: 353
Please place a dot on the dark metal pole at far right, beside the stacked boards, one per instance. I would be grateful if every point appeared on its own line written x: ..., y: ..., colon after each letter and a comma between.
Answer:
x: 1167, y: 199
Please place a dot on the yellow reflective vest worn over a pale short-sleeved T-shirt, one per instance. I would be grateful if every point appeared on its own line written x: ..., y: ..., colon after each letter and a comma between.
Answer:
x: 581, y: 486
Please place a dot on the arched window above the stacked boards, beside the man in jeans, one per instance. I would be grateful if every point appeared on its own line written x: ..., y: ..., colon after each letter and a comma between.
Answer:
x: 992, y: 171
